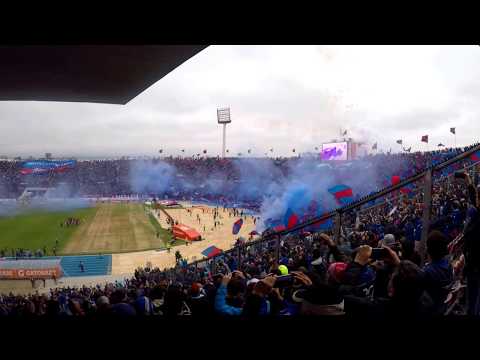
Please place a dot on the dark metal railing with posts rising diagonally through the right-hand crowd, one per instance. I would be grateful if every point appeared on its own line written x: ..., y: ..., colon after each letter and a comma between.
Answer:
x: 426, y: 176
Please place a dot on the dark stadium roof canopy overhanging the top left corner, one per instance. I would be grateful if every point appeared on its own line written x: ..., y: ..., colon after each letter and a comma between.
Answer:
x: 112, y: 74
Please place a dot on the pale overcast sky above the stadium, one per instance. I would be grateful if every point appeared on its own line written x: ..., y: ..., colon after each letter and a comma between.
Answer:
x: 280, y: 96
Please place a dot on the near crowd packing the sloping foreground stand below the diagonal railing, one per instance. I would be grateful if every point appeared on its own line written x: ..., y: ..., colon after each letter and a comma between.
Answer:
x: 373, y: 270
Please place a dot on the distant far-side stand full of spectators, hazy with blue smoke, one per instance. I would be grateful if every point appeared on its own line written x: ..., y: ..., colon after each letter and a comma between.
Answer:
x: 230, y: 179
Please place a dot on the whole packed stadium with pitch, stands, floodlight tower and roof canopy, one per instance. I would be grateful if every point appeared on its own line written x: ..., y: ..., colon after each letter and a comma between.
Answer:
x: 339, y: 229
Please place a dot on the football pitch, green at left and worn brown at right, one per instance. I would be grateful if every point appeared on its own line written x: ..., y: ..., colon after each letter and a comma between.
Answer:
x: 105, y: 228
